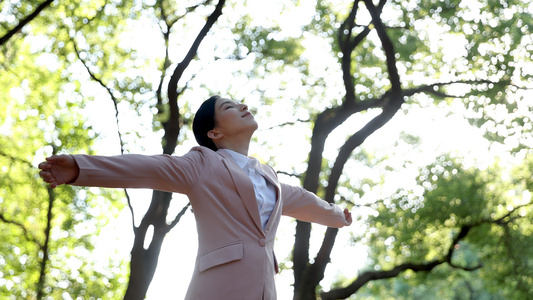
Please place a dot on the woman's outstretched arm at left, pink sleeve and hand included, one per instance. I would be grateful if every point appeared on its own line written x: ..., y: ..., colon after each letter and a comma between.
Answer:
x: 158, y: 172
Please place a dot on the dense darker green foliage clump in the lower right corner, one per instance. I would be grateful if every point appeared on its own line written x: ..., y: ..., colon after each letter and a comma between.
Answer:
x: 420, y: 227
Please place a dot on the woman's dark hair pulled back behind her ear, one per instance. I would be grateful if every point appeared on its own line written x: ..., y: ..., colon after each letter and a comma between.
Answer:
x: 204, y: 121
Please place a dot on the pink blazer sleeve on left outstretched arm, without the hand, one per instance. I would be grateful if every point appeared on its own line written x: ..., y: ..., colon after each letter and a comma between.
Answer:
x: 159, y: 172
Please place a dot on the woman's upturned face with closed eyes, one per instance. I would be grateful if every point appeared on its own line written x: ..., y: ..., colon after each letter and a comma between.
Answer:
x: 232, y: 118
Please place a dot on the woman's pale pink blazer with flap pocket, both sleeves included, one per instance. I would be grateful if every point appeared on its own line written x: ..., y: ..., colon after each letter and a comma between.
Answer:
x: 235, y: 258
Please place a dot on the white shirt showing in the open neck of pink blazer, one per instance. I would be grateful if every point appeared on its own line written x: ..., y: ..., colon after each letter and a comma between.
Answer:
x: 265, y: 192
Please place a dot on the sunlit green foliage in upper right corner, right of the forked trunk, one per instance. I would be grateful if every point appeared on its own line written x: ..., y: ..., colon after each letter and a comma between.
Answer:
x: 493, y: 43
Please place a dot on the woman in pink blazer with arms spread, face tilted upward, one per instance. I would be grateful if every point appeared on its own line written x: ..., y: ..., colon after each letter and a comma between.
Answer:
x: 237, y: 202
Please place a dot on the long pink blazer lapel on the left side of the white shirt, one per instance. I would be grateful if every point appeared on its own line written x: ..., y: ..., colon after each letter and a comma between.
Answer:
x: 244, y: 187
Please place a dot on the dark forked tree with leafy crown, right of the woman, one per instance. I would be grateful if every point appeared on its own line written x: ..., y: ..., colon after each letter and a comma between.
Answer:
x: 395, y: 49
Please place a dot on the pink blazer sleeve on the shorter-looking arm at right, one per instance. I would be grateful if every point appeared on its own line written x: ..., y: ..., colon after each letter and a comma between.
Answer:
x: 306, y: 206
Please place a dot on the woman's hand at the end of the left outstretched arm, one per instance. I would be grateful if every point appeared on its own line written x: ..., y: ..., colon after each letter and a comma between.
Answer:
x: 59, y: 169
